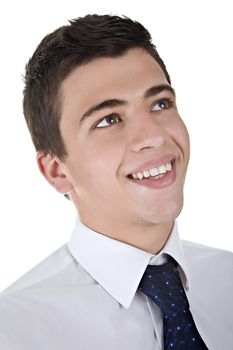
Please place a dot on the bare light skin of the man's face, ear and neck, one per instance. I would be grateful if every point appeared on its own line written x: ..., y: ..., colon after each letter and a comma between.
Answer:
x: 99, y: 159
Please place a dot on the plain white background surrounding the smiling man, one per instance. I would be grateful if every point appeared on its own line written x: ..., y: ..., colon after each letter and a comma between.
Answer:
x: 195, y: 40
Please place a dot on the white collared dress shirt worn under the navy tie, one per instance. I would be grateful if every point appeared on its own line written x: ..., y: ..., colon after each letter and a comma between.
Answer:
x: 84, y: 296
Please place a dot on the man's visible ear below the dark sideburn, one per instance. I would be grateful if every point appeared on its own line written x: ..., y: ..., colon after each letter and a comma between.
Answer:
x: 53, y: 170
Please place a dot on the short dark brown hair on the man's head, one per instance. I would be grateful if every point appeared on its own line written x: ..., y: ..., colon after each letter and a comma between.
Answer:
x: 84, y: 39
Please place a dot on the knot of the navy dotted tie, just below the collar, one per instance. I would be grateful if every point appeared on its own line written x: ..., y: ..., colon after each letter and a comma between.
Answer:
x: 163, y: 285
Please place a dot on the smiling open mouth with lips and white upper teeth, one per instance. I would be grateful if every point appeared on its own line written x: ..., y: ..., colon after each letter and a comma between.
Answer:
x: 156, y: 177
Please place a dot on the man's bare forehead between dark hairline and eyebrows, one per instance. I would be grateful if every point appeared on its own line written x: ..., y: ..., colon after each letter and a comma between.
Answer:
x: 122, y: 77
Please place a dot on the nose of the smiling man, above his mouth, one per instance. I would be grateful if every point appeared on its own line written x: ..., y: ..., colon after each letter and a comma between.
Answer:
x: 146, y: 133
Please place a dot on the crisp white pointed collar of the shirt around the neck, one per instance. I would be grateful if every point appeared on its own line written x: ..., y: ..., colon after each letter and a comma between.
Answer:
x: 118, y: 267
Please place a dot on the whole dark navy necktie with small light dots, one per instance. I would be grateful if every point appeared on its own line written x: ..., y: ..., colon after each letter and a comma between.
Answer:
x: 163, y: 285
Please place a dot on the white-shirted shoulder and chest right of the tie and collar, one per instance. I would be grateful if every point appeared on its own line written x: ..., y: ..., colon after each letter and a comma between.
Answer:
x: 210, y: 290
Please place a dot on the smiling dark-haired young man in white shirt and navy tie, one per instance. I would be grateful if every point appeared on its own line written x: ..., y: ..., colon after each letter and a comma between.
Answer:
x: 102, y: 113
